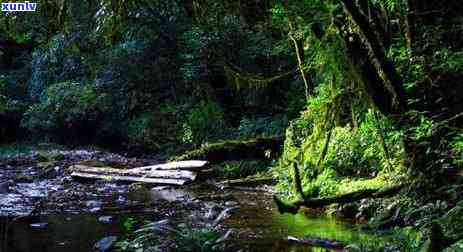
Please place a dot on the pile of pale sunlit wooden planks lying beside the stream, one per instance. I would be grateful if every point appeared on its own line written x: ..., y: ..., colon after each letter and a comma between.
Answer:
x: 175, y: 173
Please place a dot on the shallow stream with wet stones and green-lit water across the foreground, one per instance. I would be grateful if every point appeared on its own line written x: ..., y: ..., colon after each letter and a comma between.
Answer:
x: 58, y: 214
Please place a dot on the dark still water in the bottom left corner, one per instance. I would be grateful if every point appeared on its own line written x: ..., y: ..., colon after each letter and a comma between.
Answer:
x: 64, y: 233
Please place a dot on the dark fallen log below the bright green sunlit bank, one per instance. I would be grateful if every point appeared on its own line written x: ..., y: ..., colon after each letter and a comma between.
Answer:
x: 293, y: 207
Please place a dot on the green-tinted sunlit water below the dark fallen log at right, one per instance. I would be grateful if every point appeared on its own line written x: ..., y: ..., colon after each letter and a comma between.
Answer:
x: 262, y: 228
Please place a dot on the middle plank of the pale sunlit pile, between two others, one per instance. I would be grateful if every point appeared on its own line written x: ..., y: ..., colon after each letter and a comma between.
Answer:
x: 170, y: 174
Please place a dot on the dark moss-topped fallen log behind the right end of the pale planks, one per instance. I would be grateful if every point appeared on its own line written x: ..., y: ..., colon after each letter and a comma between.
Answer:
x: 236, y: 150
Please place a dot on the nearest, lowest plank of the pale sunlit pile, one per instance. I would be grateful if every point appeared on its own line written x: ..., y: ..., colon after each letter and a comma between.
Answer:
x: 130, y: 178
